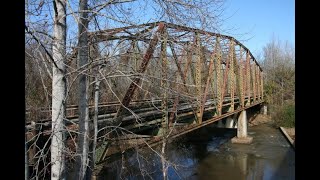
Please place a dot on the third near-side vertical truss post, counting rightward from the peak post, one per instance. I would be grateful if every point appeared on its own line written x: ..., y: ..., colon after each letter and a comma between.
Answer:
x: 219, y: 77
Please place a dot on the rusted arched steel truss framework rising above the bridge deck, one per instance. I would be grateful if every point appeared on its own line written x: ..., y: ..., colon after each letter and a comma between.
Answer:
x: 160, y: 74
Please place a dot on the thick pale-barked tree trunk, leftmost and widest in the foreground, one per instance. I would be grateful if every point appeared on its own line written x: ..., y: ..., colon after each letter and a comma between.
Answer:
x: 58, y: 91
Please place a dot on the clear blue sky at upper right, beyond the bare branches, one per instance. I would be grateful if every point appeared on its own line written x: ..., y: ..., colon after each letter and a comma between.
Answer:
x: 255, y: 22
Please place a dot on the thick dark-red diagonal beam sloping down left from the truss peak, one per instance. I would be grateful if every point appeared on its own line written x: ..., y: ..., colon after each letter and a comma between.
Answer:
x: 136, y: 81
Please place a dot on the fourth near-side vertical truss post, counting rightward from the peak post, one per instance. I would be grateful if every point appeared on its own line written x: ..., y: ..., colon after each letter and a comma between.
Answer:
x: 231, y: 75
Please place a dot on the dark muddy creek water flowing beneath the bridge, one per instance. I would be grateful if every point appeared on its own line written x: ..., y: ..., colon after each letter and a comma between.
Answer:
x: 208, y: 153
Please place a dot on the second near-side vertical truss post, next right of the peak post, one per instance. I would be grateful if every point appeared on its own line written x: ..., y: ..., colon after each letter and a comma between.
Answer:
x: 198, y: 78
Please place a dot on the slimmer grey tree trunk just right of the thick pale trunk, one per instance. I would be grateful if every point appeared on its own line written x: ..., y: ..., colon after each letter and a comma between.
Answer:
x: 83, y: 137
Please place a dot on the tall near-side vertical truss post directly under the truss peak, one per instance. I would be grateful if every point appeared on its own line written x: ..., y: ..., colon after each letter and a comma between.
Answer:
x: 164, y: 82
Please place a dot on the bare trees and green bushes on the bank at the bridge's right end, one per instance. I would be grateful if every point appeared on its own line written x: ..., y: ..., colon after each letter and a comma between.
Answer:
x: 279, y: 75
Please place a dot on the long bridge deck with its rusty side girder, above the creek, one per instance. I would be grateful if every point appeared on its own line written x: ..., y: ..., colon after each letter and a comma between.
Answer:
x: 134, y: 127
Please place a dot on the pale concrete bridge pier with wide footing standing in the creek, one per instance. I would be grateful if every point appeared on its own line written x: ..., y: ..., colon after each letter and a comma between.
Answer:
x: 242, y: 137
